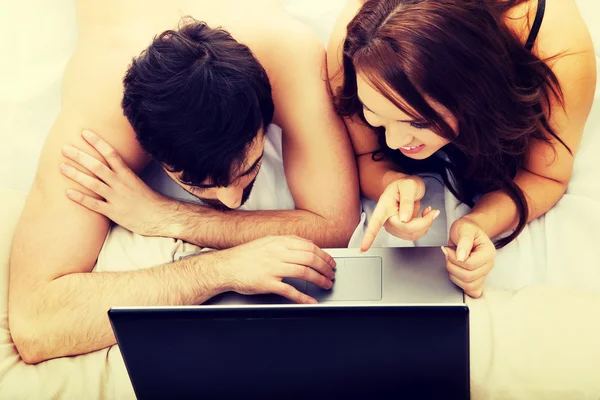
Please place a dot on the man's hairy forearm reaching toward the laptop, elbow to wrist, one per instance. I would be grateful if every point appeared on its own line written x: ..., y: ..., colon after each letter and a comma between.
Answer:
x: 68, y: 315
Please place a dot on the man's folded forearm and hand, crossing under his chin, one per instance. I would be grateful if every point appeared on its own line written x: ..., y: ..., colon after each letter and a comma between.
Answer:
x: 129, y: 202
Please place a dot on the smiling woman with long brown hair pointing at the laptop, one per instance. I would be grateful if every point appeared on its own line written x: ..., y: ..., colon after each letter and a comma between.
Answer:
x: 492, y: 95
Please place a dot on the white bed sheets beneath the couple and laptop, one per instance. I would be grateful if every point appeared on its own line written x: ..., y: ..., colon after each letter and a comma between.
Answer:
x: 533, y: 334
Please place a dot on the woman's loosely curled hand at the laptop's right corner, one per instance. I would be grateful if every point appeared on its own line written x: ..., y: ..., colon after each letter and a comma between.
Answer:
x: 473, y: 259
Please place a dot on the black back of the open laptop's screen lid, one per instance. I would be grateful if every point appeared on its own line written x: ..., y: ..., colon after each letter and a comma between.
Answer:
x: 295, y: 351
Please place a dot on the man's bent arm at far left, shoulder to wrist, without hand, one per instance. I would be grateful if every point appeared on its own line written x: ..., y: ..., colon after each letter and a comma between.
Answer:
x: 56, y: 307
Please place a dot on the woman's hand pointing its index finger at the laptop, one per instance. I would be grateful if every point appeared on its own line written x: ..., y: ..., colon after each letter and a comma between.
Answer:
x: 396, y: 211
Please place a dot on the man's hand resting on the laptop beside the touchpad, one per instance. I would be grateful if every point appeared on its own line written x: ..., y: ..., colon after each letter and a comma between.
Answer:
x: 258, y: 267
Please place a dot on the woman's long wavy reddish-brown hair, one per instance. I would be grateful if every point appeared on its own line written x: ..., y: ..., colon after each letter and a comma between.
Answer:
x: 460, y: 54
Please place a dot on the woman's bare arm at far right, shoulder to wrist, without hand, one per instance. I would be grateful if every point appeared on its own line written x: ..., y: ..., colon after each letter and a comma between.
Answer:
x: 548, y: 170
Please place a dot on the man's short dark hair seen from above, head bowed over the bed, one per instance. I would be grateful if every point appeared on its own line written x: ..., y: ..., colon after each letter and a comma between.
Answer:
x: 196, y: 99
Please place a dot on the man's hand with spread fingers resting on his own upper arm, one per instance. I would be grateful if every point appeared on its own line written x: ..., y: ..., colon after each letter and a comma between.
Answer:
x: 128, y: 201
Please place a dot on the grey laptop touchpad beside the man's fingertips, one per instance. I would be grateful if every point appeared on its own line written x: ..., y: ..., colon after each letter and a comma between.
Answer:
x: 356, y: 279
